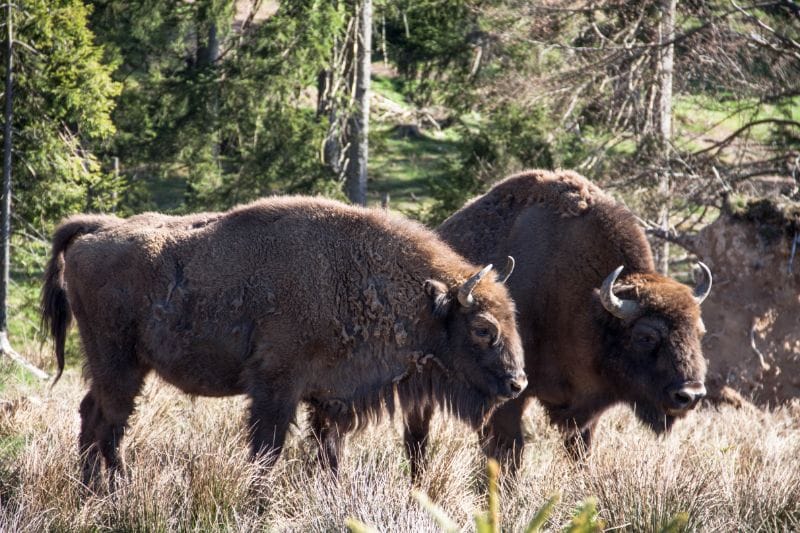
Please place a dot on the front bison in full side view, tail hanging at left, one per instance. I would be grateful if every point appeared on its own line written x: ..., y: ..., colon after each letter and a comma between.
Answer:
x: 286, y: 300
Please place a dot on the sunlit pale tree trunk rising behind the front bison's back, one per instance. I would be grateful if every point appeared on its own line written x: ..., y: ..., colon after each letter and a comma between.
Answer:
x: 358, y: 125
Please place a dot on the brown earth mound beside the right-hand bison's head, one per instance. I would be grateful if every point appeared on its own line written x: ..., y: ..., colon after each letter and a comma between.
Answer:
x: 753, y: 312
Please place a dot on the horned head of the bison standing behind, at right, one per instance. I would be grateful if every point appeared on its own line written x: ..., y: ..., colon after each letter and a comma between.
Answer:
x: 653, y: 357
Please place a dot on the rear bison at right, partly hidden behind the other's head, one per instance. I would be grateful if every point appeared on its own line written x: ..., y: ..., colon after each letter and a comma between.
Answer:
x: 599, y: 325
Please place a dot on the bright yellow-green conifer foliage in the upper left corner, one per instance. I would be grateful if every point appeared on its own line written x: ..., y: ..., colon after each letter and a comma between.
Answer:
x: 63, y: 98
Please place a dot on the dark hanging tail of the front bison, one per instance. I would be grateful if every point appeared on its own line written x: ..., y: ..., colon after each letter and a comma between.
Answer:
x: 55, y: 308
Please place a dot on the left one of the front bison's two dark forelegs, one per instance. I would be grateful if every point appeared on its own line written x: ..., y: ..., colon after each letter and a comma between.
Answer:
x: 270, y: 415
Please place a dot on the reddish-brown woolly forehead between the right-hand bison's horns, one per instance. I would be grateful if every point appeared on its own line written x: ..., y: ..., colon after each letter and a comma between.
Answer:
x: 660, y: 294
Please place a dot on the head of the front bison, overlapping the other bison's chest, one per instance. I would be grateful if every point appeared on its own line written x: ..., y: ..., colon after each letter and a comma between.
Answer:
x: 481, y: 345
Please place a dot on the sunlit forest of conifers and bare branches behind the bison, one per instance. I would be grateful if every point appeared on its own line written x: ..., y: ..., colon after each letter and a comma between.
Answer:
x: 123, y: 106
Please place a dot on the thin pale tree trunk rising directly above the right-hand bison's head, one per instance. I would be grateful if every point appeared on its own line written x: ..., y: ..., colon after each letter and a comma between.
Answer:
x: 666, y: 35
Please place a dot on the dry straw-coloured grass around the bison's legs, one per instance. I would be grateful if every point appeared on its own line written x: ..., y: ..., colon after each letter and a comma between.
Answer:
x: 189, y: 470
